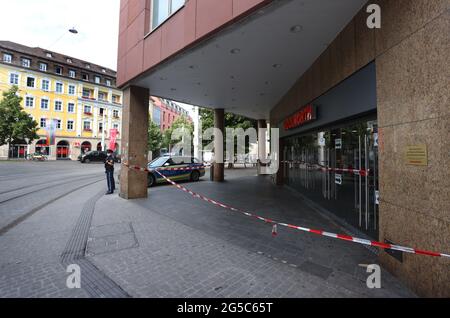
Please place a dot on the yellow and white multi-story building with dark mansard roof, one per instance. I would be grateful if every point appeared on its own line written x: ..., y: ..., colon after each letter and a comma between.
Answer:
x: 80, y: 98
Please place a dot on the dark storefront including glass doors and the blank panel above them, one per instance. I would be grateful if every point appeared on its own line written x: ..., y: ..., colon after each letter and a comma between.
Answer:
x: 342, y: 134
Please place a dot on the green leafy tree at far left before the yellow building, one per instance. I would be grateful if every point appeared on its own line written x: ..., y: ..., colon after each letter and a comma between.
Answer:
x: 15, y: 124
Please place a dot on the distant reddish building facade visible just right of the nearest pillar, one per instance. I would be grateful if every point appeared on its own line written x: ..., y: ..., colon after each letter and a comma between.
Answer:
x: 164, y: 112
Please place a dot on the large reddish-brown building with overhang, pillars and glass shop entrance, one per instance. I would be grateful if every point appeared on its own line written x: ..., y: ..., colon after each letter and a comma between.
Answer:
x: 350, y: 84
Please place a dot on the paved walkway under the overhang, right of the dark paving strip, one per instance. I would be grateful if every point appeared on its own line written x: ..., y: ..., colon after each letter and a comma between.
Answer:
x: 171, y: 245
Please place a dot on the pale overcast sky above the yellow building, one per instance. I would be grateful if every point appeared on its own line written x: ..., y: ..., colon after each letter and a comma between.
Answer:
x: 45, y: 23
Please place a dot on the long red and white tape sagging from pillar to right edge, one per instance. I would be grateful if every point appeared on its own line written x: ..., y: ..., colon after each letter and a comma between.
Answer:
x: 304, y: 229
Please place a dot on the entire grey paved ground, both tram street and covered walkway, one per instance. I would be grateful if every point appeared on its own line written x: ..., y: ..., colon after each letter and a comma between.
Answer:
x: 170, y: 245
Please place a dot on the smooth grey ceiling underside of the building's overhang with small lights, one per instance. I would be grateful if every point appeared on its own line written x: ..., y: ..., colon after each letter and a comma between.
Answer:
x: 248, y: 67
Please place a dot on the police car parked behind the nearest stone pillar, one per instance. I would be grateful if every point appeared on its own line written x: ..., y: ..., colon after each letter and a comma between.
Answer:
x: 165, y: 164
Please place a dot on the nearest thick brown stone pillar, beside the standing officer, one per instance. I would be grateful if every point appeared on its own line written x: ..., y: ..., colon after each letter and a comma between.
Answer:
x: 133, y: 184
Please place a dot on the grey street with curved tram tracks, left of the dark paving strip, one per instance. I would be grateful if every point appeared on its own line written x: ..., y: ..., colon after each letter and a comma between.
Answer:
x: 30, y: 264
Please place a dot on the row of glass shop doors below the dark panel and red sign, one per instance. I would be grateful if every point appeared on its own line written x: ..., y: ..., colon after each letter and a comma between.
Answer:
x: 338, y: 168
